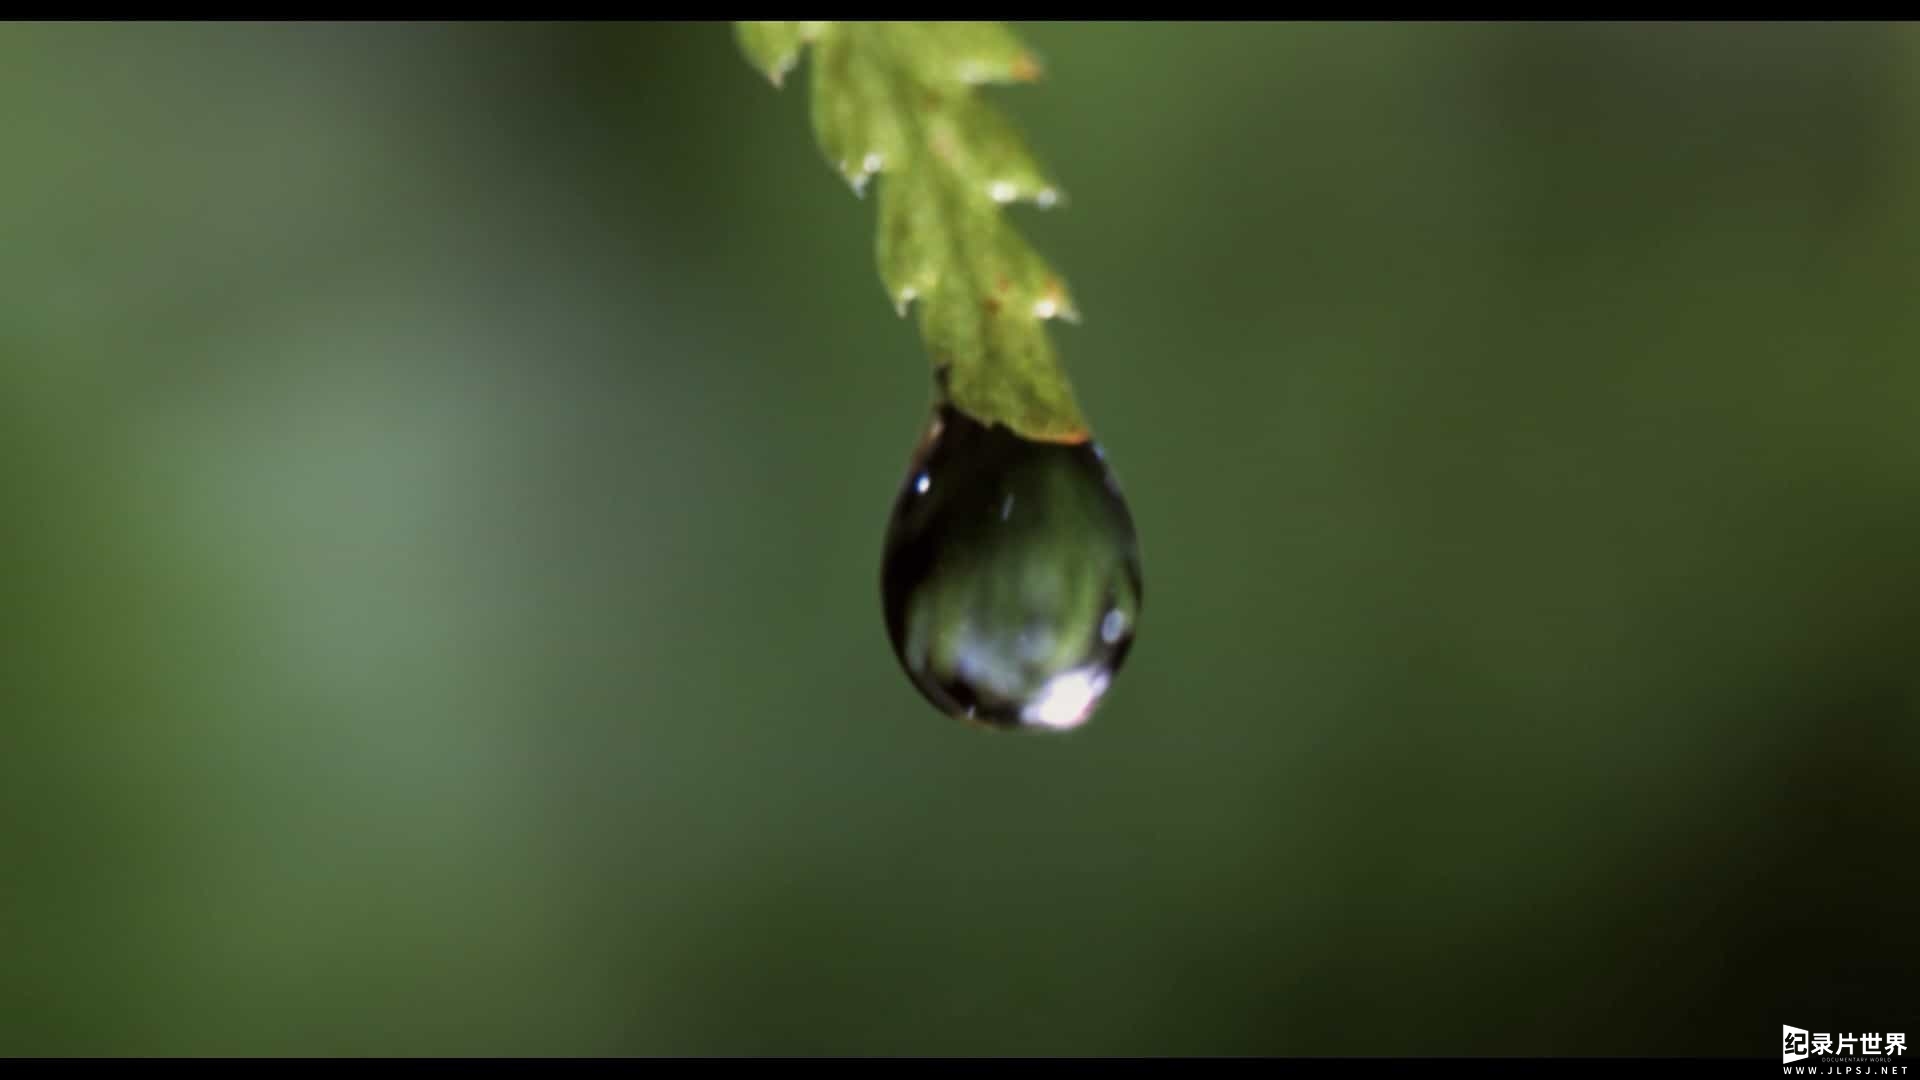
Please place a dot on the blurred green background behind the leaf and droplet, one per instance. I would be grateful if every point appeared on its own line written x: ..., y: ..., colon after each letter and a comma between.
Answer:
x: 444, y: 476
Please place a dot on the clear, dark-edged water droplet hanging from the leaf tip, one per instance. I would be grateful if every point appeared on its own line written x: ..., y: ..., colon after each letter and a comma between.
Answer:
x: 1011, y: 620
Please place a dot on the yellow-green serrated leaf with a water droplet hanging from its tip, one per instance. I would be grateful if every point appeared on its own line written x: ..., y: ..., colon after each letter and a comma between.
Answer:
x: 900, y: 107
